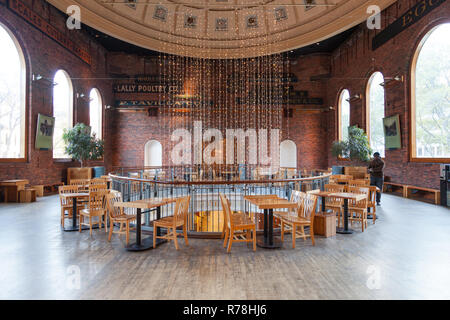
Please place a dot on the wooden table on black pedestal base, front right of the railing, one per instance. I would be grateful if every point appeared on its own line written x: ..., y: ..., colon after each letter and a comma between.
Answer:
x: 268, y: 203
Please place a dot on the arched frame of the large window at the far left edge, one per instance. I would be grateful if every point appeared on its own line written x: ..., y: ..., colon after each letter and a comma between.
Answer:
x: 26, y: 94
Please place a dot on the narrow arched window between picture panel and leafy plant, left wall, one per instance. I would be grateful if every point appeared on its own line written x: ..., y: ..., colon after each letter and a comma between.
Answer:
x: 62, y: 111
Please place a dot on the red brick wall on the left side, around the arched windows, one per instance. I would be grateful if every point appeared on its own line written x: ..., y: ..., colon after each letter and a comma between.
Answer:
x: 44, y: 56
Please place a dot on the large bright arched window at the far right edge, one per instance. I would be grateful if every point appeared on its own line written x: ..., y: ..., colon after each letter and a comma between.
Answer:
x: 430, y: 112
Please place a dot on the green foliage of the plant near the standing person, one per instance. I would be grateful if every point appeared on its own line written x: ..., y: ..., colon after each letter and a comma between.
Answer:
x: 357, y: 146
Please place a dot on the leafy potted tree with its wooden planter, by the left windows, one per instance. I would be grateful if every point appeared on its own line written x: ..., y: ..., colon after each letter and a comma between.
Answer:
x: 82, y: 146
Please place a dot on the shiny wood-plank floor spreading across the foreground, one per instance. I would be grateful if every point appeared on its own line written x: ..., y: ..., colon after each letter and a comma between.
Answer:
x: 405, y: 255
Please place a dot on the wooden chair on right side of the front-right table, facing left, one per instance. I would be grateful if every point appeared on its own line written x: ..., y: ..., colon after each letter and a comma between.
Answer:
x: 305, y: 218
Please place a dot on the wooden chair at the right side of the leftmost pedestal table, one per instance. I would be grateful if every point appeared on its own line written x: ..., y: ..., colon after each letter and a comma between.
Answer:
x: 96, y: 209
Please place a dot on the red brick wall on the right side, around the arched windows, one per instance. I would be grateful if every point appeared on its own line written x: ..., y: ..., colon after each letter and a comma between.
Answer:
x: 352, y: 64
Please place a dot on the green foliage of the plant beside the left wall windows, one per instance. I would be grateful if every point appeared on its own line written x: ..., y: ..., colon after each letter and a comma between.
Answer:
x: 81, y: 145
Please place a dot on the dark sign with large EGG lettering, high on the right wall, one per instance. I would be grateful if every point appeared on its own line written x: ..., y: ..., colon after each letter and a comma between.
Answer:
x: 413, y: 15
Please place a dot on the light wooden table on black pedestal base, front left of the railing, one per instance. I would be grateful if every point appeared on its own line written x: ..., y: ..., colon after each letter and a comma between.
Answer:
x: 155, y: 204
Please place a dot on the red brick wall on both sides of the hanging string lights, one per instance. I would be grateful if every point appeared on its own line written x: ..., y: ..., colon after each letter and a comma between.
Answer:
x: 125, y: 134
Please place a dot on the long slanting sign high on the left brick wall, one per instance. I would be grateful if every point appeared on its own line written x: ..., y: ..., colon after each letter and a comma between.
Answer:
x: 42, y: 25
